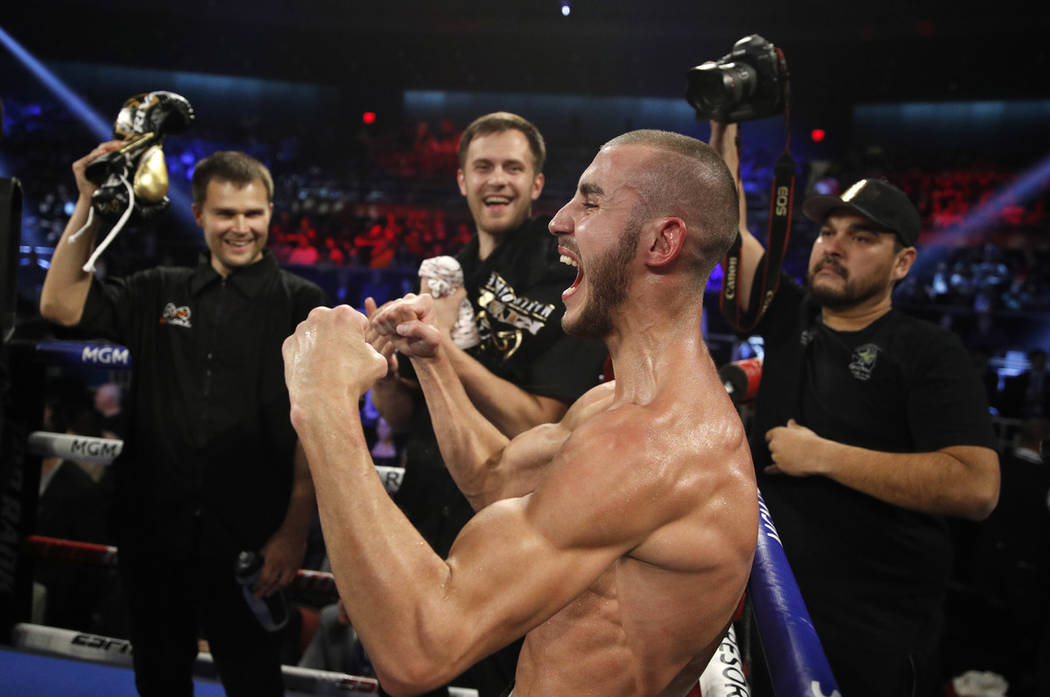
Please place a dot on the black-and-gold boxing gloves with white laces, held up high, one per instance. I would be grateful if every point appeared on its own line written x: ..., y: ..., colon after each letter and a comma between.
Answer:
x: 134, y: 179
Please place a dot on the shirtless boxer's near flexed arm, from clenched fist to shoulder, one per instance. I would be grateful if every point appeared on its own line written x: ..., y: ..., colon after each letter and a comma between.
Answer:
x: 427, y: 620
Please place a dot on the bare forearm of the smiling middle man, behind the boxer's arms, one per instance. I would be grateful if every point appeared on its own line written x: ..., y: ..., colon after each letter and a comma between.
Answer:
x: 512, y: 410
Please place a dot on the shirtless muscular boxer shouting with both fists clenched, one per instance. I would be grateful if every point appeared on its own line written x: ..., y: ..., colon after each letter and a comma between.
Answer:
x: 619, y: 541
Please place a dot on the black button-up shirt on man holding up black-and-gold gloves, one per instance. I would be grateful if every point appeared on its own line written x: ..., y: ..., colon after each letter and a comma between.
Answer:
x: 211, y: 433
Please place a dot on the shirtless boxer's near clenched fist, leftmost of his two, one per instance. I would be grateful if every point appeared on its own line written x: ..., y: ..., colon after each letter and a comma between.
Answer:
x: 329, y: 357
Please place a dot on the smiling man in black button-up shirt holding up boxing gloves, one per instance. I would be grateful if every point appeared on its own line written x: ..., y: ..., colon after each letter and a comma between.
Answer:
x: 214, y: 467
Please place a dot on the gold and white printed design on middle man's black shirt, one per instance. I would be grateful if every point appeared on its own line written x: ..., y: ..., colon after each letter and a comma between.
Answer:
x: 500, y: 303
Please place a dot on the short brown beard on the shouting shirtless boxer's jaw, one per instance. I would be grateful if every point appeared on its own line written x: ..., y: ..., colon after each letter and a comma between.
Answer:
x: 608, y: 280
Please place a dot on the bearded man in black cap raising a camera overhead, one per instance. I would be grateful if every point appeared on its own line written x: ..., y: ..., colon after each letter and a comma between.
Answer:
x: 871, y: 427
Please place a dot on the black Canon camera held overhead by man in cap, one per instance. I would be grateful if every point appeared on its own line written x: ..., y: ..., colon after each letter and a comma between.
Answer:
x: 751, y: 82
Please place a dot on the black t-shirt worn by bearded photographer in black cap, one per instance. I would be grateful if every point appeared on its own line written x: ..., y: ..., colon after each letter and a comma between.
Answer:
x: 871, y: 573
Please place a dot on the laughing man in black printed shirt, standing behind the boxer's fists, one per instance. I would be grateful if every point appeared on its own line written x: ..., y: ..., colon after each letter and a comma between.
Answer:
x: 524, y: 371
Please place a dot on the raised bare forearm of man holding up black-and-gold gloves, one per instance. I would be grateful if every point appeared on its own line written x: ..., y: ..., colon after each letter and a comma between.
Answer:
x: 67, y: 285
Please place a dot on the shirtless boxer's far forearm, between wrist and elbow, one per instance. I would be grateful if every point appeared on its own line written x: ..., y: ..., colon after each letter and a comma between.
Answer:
x: 470, y: 443
